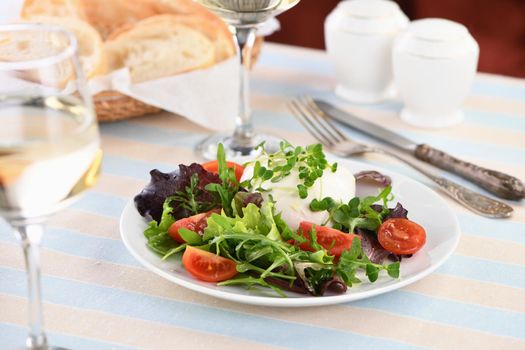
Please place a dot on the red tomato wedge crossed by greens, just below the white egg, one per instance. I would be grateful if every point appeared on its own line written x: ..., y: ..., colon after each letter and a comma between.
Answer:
x: 329, y: 238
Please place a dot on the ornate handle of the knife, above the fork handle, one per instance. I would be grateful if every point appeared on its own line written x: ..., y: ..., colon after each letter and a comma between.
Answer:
x: 498, y: 183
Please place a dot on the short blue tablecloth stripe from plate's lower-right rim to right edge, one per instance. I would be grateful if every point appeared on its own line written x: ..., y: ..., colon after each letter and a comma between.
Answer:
x: 485, y: 270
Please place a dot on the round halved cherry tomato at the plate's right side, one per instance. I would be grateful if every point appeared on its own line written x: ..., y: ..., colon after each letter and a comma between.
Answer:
x: 401, y: 236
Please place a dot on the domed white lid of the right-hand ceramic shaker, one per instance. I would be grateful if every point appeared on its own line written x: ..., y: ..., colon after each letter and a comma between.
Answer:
x: 436, y: 38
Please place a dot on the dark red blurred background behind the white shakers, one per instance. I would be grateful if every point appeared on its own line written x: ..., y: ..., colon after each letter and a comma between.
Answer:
x: 497, y: 25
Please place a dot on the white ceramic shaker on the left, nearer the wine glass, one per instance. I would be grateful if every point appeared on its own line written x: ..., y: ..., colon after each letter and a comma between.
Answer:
x: 359, y: 35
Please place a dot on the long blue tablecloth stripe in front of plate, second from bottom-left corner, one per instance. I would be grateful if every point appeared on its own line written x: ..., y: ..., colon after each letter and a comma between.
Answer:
x: 193, y: 316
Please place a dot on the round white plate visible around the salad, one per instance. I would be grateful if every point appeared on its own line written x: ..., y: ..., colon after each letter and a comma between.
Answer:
x: 424, y: 207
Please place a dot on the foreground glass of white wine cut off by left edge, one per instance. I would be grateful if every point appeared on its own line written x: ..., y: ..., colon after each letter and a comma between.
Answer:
x: 49, y: 142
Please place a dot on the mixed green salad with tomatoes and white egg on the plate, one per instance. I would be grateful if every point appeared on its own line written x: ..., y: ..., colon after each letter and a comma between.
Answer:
x: 288, y: 220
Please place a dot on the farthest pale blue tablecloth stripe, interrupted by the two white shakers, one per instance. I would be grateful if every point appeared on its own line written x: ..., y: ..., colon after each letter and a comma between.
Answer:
x: 305, y: 63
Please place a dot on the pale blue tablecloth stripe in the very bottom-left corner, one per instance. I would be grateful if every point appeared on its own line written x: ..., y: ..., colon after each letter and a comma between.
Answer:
x: 13, y: 337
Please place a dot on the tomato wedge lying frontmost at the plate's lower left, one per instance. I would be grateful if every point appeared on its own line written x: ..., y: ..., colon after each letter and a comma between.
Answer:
x: 207, y: 266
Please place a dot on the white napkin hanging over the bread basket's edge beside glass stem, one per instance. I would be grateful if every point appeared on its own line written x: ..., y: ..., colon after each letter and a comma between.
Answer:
x: 208, y: 97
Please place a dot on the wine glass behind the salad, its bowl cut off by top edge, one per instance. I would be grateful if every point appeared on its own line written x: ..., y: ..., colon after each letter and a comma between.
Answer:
x: 244, y: 17
